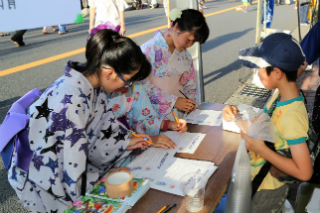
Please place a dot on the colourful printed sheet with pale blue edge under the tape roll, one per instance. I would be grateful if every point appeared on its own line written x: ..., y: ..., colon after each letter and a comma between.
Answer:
x: 140, y: 187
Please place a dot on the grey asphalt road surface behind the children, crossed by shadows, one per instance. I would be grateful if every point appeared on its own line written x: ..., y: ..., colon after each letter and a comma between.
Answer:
x: 230, y: 32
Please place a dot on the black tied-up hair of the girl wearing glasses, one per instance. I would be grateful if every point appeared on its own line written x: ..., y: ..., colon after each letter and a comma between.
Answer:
x: 120, y: 53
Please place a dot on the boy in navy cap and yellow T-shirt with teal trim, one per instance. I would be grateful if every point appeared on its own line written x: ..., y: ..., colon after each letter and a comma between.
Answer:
x: 278, y: 59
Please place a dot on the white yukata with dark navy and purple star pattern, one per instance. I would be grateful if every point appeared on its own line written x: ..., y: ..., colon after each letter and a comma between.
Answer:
x: 72, y: 129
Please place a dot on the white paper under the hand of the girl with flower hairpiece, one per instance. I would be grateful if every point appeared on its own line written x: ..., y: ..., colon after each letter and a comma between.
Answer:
x: 205, y: 117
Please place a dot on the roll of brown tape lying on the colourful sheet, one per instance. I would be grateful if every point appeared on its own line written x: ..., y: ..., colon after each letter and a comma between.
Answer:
x: 119, y: 184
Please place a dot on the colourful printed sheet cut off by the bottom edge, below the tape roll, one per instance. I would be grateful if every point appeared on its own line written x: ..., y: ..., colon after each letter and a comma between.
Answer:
x: 92, y: 204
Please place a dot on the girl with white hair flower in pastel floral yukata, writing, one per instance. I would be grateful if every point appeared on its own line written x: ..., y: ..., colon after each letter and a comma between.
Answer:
x: 172, y: 64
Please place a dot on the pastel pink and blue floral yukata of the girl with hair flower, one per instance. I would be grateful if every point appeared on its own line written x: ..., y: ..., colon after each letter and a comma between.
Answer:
x: 171, y: 72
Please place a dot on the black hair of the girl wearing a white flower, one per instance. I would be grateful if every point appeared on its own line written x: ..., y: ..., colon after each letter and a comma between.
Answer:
x: 194, y: 22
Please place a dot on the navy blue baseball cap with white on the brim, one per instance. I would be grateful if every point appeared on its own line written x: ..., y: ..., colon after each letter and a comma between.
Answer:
x: 278, y: 50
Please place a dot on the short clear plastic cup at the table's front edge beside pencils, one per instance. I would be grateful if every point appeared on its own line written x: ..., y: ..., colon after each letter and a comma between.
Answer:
x: 193, y: 187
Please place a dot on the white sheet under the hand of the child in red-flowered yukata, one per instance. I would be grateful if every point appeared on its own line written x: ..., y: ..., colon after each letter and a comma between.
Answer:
x: 186, y: 142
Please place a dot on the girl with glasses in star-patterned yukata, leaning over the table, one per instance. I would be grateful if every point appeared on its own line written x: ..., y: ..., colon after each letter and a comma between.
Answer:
x: 73, y: 133
